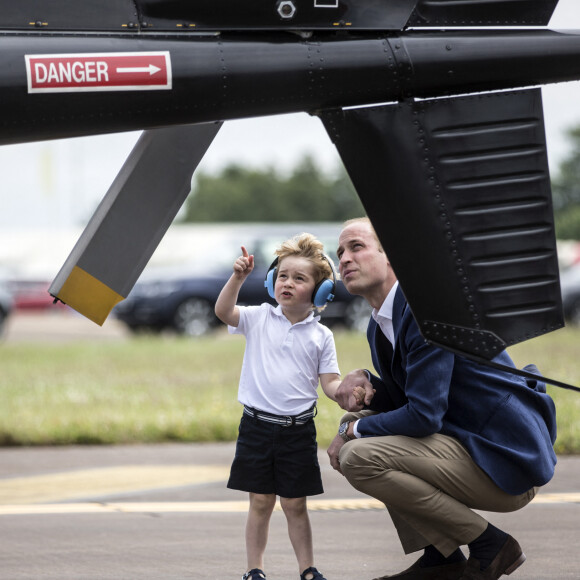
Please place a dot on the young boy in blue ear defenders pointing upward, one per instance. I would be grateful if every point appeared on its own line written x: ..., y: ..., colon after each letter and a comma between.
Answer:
x: 287, y: 352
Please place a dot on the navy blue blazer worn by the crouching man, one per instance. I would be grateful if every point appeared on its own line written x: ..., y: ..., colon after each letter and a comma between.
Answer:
x: 507, y: 424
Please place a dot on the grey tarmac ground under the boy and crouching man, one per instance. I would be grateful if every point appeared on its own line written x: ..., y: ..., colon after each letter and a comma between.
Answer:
x: 163, y: 512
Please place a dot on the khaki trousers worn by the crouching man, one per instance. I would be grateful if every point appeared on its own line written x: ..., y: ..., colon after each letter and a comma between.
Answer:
x: 430, y: 486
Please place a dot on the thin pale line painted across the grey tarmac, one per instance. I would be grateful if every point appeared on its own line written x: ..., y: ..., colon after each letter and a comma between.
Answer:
x: 352, y: 504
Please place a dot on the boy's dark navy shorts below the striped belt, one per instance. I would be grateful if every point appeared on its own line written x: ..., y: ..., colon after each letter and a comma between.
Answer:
x: 273, y: 459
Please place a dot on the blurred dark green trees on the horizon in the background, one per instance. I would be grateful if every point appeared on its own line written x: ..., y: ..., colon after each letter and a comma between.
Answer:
x: 241, y: 194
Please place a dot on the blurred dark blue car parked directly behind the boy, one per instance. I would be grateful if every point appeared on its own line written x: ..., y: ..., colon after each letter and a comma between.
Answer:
x: 181, y: 297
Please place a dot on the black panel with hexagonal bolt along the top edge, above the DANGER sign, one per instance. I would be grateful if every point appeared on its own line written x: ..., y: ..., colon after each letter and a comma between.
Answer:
x: 187, y: 16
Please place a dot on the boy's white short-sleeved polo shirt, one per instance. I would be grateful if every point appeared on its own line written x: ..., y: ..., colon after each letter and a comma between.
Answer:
x: 282, y: 361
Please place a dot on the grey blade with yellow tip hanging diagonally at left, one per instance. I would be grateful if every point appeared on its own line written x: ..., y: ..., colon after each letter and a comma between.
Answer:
x: 131, y: 220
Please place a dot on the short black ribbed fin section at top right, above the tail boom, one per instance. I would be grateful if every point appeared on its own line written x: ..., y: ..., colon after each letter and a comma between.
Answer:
x: 477, y: 13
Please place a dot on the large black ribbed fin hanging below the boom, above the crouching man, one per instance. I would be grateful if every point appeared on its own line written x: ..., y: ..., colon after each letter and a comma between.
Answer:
x: 459, y: 193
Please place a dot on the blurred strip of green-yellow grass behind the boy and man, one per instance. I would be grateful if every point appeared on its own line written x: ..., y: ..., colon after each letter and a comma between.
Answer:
x: 154, y: 389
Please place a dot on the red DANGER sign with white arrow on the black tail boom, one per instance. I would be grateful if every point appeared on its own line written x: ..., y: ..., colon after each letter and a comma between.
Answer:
x: 126, y: 71
